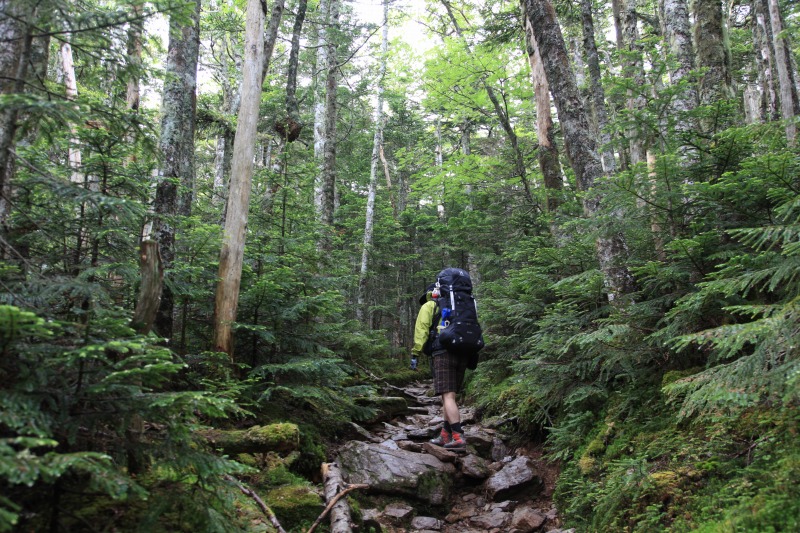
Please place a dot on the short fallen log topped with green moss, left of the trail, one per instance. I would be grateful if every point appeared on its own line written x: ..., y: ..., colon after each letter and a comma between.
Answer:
x: 281, y: 437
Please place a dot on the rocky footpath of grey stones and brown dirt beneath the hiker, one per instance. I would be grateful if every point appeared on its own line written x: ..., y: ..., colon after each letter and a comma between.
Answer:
x: 424, y: 488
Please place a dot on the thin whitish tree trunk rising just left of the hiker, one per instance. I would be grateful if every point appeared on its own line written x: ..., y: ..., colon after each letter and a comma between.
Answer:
x: 373, y: 171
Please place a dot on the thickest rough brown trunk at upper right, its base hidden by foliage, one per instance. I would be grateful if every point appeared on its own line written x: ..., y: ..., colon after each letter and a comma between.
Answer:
x: 709, y: 41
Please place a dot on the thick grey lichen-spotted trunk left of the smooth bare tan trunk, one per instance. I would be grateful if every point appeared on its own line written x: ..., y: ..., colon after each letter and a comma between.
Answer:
x: 176, y: 178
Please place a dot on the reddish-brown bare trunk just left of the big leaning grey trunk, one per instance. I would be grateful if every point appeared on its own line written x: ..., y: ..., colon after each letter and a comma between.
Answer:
x: 549, y: 163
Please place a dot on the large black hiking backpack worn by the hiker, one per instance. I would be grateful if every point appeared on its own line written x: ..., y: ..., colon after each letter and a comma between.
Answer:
x: 459, y: 331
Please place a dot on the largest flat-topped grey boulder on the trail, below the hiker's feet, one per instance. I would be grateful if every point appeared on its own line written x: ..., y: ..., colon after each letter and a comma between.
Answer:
x: 396, y: 471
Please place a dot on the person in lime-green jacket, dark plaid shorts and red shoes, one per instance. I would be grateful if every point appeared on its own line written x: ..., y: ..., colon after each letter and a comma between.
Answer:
x: 448, y: 369
